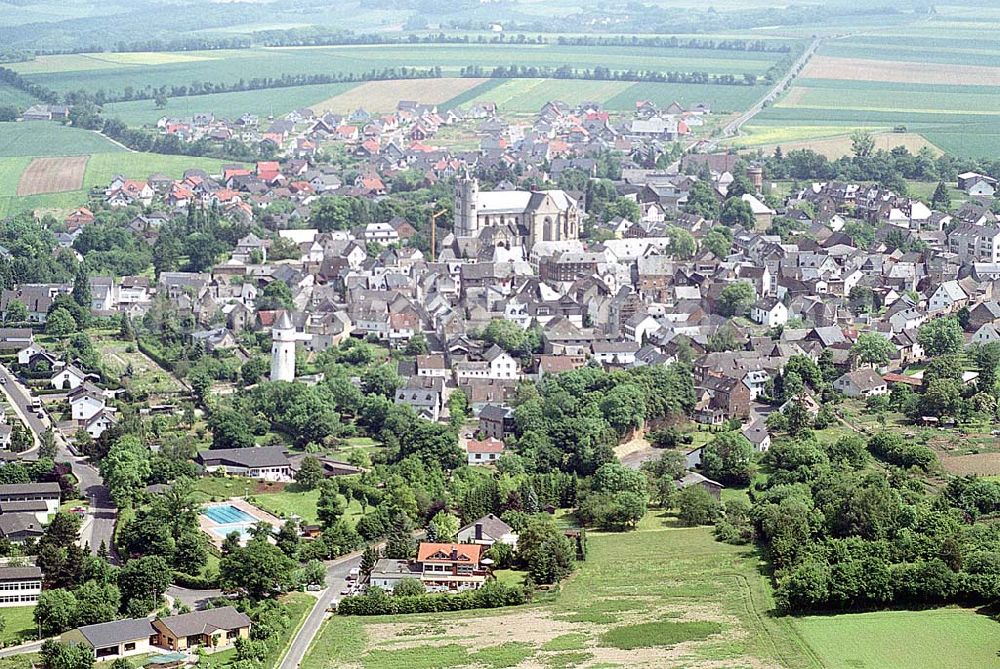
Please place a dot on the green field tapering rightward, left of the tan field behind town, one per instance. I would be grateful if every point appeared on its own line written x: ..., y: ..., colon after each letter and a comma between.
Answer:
x: 263, y: 103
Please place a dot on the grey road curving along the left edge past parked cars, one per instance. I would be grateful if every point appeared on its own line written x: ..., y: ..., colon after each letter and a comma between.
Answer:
x: 101, y: 525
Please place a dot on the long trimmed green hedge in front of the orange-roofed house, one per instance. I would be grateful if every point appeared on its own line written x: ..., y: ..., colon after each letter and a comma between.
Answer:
x: 376, y: 602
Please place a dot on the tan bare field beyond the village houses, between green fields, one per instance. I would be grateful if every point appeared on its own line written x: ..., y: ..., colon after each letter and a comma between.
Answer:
x: 384, y: 96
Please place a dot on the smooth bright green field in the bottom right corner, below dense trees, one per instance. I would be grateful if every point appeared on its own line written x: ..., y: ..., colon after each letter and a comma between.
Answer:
x: 940, y: 638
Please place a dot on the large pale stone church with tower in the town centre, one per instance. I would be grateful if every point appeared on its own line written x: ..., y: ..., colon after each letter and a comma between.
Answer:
x: 515, y: 218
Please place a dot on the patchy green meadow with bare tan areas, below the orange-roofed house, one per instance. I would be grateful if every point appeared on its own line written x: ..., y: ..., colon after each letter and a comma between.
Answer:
x: 662, y: 596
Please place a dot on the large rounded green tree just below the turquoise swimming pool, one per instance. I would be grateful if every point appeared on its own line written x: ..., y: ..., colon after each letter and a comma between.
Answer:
x: 258, y: 570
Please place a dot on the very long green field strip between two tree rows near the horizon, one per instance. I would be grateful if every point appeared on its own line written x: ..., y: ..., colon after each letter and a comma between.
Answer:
x: 64, y: 73
